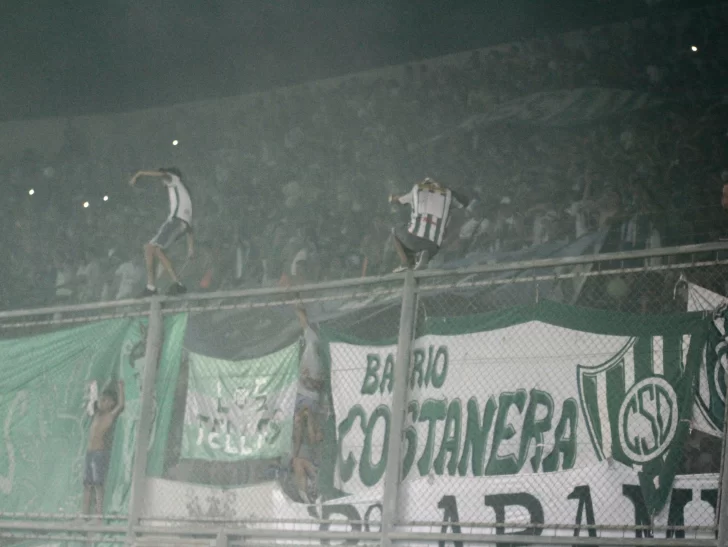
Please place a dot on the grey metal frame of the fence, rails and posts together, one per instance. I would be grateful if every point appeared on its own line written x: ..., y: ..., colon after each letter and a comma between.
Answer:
x: 417, y: 297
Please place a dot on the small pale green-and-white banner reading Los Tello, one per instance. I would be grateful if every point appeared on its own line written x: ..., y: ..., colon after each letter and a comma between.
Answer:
x: 240, y: 410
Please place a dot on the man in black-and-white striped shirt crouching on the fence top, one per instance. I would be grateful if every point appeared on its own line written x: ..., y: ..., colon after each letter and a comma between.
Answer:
x: 421, y: 240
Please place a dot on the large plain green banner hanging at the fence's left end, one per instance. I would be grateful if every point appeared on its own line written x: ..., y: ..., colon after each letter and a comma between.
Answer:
x: 48, y: 386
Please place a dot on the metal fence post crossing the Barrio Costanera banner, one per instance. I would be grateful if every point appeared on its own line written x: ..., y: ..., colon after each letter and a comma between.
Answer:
x: 399, y: 406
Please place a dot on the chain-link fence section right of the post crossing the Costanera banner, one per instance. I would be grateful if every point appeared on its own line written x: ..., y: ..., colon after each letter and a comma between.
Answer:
x: 561, y: 401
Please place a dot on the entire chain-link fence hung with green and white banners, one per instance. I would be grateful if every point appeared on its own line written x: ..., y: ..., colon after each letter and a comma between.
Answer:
x: 554, y: 399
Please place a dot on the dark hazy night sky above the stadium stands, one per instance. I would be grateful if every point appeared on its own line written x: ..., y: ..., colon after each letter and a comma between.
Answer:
x: 65, y: 57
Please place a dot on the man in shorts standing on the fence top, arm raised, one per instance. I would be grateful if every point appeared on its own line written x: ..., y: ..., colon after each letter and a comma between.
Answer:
x: 178, y: 223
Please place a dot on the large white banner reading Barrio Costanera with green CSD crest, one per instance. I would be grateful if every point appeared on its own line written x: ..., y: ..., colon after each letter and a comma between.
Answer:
x: 530, y: 398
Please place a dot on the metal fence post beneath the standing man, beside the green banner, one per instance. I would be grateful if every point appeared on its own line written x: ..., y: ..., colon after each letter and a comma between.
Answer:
x: 155, y: 332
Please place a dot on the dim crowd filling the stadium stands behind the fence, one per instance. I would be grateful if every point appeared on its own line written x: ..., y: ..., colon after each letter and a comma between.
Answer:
x: 620, y: 127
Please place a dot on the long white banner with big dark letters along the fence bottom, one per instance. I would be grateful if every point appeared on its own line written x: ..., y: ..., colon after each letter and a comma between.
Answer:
x: 600, y: 496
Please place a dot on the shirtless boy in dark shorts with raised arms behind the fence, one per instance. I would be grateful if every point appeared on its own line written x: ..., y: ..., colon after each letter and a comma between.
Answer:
x: 108, y: 409
